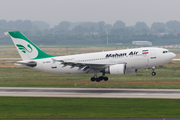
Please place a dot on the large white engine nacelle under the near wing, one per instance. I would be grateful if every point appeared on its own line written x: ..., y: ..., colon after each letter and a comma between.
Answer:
x: 119, y: 69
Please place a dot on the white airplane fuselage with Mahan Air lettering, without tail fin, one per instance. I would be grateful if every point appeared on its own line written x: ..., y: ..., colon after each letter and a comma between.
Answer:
x: 133, y: 58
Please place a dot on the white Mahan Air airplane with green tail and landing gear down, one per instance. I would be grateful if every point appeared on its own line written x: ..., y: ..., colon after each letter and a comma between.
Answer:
x: 117, y: 62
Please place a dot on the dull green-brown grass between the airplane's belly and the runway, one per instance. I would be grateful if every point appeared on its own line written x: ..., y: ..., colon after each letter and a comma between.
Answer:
x: 25, y: 77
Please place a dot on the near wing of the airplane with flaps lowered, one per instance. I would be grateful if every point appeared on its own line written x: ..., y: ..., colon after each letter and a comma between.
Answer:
x: 86, y: 67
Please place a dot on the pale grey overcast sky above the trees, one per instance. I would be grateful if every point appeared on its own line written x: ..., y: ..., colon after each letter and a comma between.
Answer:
x: 109, y: 11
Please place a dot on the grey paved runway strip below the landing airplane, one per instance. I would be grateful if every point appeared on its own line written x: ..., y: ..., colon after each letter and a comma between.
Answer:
x: 90, y: 92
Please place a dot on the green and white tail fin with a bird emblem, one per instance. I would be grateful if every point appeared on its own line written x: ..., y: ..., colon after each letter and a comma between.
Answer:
x: 26, y: 48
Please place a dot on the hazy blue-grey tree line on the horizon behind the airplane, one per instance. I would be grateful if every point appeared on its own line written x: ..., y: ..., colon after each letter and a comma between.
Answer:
x: 92, y: 33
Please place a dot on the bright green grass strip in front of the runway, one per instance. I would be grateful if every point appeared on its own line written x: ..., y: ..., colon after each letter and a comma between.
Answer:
x: 27, y: 107
